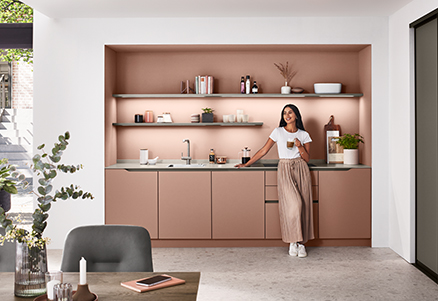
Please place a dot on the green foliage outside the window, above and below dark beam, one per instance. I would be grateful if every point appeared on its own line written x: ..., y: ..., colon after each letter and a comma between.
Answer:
x: 12, y: 11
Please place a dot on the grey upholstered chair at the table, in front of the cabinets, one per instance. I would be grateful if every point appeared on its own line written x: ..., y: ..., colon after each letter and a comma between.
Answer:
x: 108, y: 248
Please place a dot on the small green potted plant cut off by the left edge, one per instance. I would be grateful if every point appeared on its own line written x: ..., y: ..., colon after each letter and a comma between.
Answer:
x: 10, y: 178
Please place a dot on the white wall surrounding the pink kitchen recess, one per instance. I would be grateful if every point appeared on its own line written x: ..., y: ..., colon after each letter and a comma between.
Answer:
x: 69, y: 89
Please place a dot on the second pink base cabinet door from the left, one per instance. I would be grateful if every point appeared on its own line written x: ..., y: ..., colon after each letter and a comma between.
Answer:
x: 185, y: 205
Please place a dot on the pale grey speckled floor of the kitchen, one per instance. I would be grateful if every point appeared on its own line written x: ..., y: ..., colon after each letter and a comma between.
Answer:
x: 329, y: 273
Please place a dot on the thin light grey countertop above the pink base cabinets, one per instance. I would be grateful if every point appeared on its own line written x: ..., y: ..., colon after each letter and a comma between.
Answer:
x: 162, y: 165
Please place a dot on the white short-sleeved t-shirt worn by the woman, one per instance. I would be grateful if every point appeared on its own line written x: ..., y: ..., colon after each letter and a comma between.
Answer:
x: 280, y: 136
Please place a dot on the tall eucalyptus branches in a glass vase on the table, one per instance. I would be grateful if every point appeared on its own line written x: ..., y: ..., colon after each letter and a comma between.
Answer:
x: 31, y: 256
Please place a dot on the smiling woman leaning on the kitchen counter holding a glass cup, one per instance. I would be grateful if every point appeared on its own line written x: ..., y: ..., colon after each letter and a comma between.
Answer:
x: 293, y: 177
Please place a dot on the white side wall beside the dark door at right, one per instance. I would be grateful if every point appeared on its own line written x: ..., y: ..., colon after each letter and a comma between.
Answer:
x: 402, y: 127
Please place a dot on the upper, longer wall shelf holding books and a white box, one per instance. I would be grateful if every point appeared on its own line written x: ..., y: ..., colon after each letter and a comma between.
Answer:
x: 265, y: 95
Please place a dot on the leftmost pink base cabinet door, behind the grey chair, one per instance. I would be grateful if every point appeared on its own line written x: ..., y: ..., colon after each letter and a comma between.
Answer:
x: 131, y: 199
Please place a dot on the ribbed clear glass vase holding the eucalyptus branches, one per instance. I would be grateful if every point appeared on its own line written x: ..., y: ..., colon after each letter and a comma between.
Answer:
x: 30, y: 270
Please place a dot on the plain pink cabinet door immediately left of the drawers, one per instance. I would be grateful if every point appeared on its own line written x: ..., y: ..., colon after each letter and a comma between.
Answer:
x: 238, y: 204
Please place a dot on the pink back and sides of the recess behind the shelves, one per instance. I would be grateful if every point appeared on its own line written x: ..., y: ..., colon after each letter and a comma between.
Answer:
x: 160, y: 69
